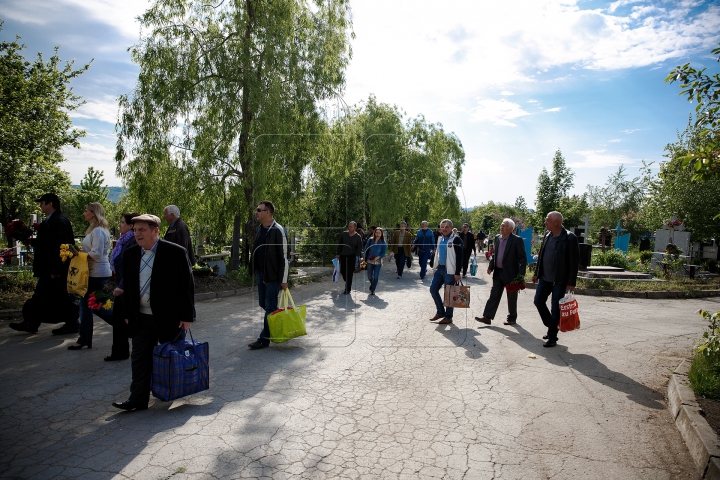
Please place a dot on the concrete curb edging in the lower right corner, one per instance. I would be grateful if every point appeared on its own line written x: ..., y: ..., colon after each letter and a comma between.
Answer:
x: 702, y: 442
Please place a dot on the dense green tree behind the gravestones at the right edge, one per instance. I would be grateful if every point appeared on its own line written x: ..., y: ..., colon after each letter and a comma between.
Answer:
x: 673, y: 193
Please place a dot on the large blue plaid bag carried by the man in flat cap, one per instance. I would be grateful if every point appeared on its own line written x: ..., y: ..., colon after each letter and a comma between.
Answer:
x: 180, y: 368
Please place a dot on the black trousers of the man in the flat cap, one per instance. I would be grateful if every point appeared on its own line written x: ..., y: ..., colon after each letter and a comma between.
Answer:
x: 146, y: 337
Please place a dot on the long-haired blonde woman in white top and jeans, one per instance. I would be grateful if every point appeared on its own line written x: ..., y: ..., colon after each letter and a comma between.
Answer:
x: 97, y: 245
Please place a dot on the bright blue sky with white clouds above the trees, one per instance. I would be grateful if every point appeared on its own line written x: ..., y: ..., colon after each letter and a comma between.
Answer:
x: 514, y: 80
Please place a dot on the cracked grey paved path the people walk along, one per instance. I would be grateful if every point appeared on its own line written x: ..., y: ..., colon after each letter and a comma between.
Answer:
x: 374, y: 391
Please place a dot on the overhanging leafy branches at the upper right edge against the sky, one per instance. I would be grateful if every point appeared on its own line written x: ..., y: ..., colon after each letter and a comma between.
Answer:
x: 704, y: 158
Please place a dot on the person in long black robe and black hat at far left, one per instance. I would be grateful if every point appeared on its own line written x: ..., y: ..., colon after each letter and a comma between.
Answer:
x: 50, y: 301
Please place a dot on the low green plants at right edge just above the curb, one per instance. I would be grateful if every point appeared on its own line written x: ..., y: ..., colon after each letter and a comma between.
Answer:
x: 704, y: 374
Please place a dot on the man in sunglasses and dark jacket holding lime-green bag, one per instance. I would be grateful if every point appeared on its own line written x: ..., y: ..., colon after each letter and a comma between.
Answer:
x: 269, y: 264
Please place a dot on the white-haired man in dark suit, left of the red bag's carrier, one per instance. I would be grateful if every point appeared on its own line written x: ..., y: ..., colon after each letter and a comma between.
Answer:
x: 508, y: 262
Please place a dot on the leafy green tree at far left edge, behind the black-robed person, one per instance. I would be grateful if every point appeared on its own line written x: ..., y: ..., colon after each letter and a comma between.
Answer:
x: 35, y: 126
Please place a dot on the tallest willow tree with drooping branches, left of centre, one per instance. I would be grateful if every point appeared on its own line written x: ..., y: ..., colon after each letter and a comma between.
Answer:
x: 226, y: 101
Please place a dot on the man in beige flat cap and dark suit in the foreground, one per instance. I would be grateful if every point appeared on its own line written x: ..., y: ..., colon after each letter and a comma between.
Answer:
x: 159, y: 299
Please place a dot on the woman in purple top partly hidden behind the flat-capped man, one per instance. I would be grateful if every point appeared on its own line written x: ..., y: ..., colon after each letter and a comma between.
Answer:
x: 121, y: 346
